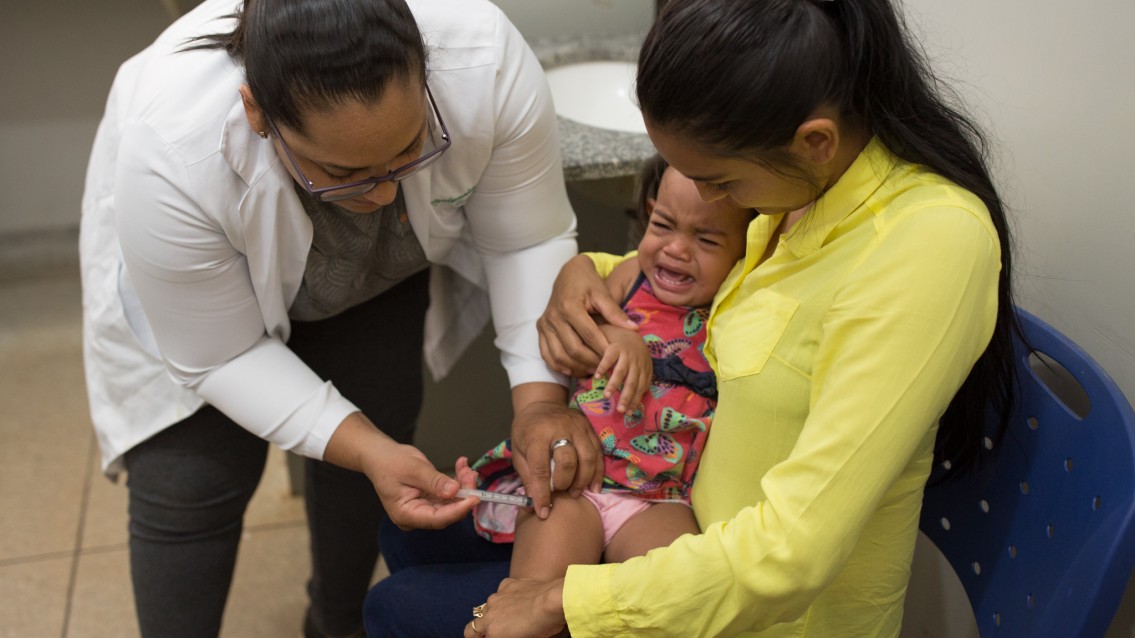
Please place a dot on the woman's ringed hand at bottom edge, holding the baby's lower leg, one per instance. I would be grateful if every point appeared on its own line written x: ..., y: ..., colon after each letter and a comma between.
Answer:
x: 522, y: 609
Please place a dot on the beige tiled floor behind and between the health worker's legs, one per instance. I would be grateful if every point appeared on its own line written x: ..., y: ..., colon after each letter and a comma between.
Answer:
x: 64, y: 566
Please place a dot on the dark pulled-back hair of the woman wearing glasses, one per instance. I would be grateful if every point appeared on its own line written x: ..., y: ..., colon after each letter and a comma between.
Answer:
x: 304, y: 56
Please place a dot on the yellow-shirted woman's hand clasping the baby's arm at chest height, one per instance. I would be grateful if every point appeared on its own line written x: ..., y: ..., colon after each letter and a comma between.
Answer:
x: 570, y: 340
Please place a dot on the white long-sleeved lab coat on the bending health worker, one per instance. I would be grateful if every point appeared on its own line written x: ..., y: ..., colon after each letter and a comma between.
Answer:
x: 194, y: 242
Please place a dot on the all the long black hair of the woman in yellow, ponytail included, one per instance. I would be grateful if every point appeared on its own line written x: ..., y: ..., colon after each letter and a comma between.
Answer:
x: 739, y: 78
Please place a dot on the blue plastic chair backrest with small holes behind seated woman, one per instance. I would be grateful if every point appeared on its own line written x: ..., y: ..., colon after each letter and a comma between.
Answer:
x: 1044, y: 538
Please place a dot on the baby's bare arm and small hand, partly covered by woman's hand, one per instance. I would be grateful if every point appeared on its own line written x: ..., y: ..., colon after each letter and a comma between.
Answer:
x: 627, y: 357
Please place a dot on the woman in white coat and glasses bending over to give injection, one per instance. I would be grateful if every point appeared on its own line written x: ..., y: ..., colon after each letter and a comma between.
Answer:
x: 287, y: 203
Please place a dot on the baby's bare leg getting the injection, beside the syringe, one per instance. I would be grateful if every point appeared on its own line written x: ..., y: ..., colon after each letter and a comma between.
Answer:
x: 573, y: 534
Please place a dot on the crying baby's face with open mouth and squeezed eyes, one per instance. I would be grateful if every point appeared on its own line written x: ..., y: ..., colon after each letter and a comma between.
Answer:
x: 691, y: 246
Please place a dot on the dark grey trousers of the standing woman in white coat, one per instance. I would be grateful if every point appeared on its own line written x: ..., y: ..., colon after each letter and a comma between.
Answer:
x: 191, y: 484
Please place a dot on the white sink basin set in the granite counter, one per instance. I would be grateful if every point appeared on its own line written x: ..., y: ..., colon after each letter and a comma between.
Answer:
x: 598, y: 95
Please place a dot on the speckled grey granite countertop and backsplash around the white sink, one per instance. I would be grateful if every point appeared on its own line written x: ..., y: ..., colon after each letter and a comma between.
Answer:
x: 591, y: 153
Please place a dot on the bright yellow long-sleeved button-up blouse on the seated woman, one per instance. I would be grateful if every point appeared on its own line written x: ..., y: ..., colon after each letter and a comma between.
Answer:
x: 835, y: 360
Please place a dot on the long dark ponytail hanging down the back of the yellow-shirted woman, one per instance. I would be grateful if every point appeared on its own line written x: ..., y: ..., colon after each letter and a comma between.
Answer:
x: 917, y: 117
